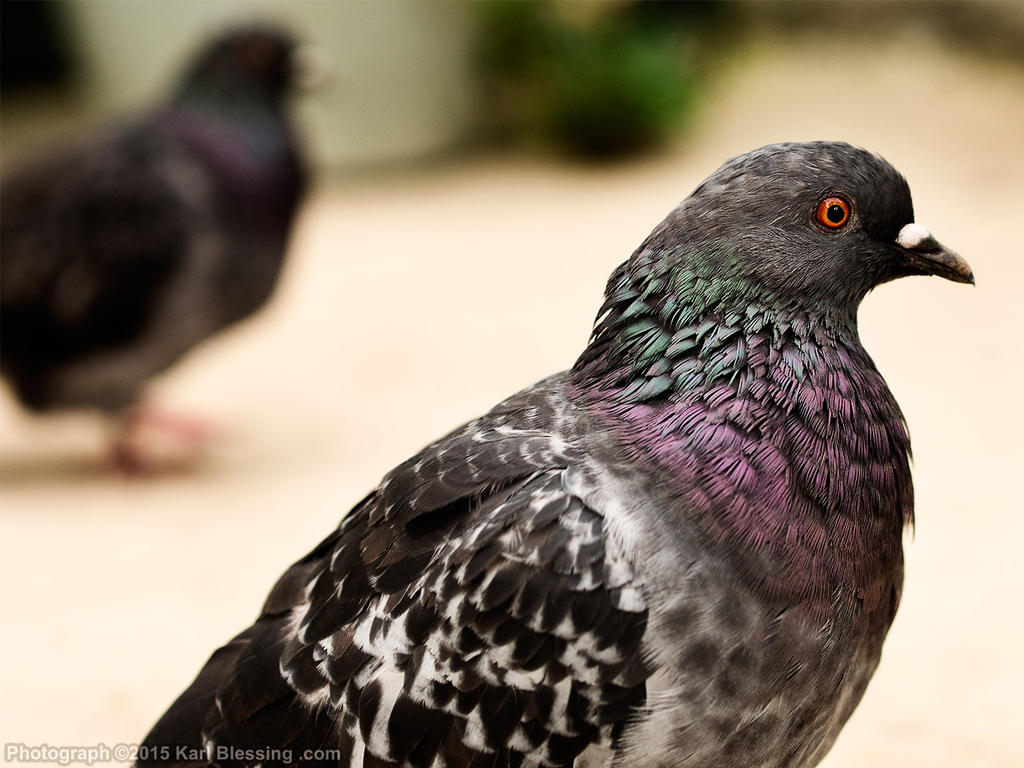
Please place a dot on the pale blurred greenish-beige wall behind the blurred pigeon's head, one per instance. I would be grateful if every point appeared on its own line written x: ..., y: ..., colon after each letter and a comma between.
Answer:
x: 403, y: 83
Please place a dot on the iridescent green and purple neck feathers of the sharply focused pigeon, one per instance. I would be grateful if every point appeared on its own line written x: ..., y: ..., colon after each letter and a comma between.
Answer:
x: 774, y: 430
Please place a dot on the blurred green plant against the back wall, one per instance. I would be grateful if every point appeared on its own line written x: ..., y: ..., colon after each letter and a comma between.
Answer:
x: 598, y: 80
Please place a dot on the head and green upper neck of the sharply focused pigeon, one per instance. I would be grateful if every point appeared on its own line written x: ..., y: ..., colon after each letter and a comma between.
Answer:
x: 782, y: 242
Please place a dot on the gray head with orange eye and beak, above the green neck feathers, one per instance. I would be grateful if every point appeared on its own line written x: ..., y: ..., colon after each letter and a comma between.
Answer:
x: 820, y: 222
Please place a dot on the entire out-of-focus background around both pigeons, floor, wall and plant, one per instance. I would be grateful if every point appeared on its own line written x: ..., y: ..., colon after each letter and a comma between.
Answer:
x: 481, y: 169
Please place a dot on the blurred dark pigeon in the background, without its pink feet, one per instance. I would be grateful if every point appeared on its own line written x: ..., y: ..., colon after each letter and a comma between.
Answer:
x: 123, y: 252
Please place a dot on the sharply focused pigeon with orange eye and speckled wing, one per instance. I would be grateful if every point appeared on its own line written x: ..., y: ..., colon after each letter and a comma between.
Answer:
x: 686, y: 551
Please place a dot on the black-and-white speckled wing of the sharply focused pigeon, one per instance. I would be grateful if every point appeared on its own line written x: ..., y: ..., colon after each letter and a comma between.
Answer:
x: 466, y: 614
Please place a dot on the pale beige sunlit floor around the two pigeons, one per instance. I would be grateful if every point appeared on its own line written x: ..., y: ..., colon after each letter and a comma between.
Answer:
x: 415, y: 303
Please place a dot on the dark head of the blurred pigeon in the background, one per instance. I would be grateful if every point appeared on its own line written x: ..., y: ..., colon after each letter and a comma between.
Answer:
x: 250, y: 61
